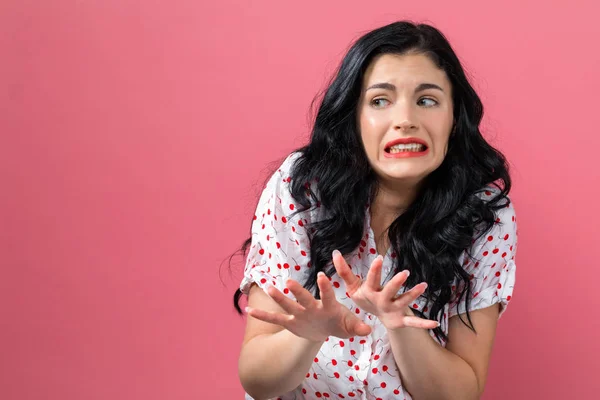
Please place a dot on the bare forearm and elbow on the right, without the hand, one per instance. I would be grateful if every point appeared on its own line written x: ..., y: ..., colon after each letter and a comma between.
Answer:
x: 430, y: 371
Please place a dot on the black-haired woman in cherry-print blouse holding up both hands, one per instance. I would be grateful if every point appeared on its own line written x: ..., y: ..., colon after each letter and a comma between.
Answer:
x: 382, y: 253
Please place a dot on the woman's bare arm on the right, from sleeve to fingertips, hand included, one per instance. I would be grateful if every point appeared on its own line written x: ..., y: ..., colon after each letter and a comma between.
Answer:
x: 428, y: 370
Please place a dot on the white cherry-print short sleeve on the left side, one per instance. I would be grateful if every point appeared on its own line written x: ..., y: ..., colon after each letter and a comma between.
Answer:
x: 280, y: 247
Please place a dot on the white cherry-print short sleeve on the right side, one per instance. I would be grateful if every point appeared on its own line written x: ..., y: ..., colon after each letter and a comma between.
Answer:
x: 492, y: 266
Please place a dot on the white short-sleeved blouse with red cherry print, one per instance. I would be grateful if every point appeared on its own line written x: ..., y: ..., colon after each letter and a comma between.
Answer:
x: 363, y: 367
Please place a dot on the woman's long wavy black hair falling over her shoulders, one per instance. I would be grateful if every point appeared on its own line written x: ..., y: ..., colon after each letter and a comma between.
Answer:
x: 448, y: 213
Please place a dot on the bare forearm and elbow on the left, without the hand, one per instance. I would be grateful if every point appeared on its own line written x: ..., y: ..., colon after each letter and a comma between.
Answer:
x: 273, y: 360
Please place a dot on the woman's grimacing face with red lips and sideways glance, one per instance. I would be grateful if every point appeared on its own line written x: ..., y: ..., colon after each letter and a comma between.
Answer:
x: 405, y: 117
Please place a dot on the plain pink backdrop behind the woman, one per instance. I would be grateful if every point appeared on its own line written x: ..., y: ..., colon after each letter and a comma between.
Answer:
x: 134, y: 135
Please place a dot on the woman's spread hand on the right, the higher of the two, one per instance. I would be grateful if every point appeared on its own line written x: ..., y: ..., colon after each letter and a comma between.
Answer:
x: 392, y: 310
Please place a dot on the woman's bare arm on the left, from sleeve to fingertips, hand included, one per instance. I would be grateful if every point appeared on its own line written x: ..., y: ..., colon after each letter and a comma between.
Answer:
x: 274, y: 360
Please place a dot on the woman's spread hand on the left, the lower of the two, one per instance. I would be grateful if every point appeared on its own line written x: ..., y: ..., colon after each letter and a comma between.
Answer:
x: 309, y: 318
